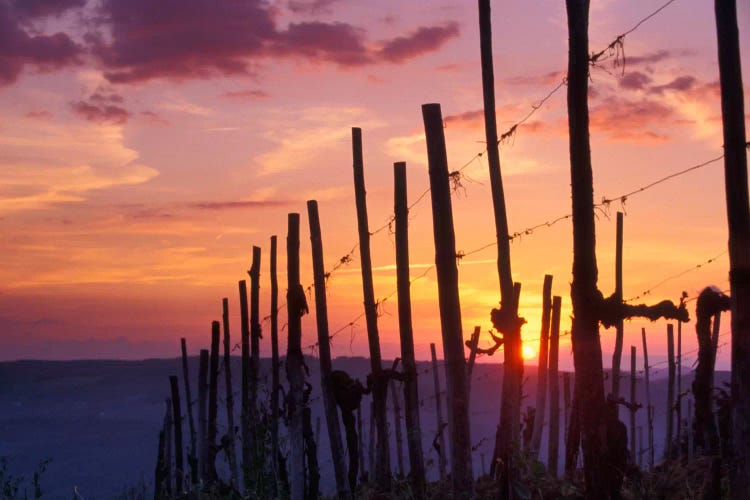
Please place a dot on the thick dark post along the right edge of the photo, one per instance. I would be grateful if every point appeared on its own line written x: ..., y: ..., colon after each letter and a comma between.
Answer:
x: 738, y: 215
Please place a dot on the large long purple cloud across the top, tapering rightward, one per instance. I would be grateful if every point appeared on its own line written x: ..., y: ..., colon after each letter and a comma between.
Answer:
x: 140, y: 40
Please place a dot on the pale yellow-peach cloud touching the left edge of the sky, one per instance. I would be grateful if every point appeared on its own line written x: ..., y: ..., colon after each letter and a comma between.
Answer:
x: 43, y: 163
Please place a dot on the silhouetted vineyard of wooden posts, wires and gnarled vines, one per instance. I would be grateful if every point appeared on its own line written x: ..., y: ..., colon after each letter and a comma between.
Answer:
x: 246, y: 429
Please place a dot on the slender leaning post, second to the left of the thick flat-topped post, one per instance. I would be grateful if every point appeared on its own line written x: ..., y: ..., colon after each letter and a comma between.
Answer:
x: 380, y: 388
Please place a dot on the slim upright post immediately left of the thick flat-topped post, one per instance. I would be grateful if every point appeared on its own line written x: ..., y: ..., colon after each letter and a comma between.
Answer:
x: 408, y: 361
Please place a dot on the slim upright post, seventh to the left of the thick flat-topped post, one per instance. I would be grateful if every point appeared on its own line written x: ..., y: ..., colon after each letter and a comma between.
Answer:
x: 245, y: 416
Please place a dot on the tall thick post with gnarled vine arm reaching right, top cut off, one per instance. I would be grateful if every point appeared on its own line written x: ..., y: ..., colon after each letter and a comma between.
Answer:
x: 587, y: 351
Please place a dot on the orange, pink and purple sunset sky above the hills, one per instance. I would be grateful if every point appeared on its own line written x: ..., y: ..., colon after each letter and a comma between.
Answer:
x: 145, y: 147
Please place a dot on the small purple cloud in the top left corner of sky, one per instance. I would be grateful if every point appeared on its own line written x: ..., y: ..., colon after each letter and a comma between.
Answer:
x: 18, y: 48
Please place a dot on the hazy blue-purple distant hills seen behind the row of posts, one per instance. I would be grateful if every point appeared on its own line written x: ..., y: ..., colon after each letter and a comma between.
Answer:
x: 99, y: 420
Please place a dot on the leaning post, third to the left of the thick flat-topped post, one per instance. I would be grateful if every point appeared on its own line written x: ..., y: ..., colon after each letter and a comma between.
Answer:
x: 324, y: 354
